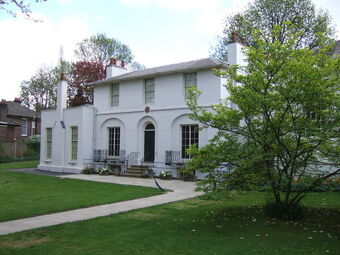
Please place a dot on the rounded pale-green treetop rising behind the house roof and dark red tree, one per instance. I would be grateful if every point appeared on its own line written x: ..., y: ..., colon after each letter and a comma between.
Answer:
x: 99, y: 49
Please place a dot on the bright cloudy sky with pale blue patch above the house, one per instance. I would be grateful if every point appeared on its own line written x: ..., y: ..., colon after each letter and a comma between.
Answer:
x: 159, y: 32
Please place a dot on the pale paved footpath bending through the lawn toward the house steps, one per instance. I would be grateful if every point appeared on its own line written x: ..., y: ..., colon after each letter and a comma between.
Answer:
x: 180, y: 191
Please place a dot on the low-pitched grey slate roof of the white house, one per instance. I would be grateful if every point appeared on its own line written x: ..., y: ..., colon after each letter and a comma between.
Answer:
x: 200, y: 64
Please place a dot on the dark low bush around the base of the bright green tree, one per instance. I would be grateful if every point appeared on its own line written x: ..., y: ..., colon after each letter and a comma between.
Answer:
x: 285, y: 211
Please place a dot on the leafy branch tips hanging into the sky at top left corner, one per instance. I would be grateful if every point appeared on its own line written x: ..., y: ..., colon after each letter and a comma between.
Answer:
x: 10, y: 6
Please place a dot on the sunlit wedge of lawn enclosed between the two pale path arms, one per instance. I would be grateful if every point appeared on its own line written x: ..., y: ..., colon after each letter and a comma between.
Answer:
x: 24, y: 195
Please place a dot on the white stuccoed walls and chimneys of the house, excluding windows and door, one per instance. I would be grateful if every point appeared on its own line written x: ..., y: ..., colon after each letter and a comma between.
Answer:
x: 167, y: 113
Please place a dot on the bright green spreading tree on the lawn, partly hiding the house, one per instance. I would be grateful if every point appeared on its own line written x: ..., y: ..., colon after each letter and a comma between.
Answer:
x: 284, y: 132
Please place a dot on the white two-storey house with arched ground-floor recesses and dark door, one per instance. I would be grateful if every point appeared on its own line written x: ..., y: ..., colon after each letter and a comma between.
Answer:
x: 139, y: 116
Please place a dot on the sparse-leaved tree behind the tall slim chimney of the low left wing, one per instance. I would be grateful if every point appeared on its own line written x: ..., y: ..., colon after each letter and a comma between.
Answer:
x: 40, y: 91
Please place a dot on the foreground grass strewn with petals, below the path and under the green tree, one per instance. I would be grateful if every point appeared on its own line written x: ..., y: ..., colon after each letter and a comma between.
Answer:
x: 234, y: 226
